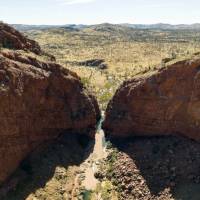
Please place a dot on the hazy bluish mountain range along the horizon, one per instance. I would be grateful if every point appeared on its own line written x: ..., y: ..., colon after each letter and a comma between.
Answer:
x: 160, y: 26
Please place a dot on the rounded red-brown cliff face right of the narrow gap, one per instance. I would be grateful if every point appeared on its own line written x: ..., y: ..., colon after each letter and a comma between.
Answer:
x: 166, y: 103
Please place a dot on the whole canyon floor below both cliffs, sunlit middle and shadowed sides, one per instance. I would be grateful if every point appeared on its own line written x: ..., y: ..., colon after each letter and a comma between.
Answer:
x: 141, y: 168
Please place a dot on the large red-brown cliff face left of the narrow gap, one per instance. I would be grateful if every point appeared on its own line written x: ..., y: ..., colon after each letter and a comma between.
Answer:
x: 39, y: 101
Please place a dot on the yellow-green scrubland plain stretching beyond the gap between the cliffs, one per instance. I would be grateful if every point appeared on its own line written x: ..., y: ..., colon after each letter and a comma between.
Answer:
x: 127, y: 52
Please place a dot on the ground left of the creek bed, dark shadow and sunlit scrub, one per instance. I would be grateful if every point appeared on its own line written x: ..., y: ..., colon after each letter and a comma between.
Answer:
x: 47, y: 163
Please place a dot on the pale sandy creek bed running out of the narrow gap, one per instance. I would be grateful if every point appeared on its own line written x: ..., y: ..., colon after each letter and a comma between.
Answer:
x: 86, y: 181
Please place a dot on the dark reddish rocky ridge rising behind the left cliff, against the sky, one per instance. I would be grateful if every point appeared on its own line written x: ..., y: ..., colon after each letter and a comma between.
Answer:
x: 12, y: 39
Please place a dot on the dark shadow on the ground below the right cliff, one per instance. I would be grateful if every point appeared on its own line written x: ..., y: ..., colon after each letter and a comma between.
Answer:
x: 165, y: 162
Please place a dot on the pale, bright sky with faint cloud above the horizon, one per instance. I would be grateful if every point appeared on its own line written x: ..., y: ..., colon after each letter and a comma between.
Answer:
x: 59, y: 12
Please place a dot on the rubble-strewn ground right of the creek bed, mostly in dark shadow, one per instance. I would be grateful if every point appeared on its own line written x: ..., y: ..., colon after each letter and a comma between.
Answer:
x: 156, y: 168
